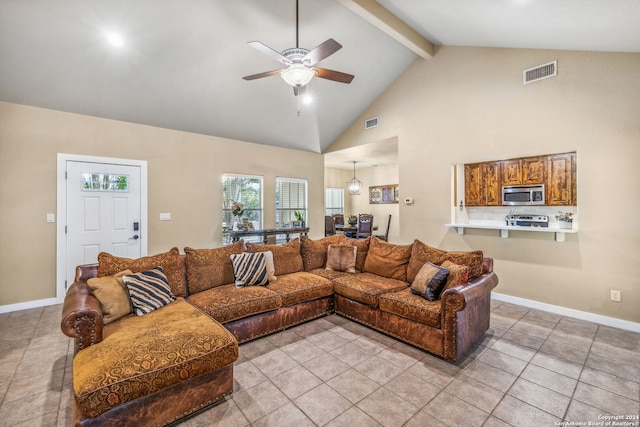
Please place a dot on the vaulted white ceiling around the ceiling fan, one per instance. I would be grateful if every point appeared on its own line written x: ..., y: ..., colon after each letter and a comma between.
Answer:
x: 181, y: 62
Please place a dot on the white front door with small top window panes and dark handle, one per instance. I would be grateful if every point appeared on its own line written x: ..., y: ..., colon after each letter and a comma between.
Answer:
x: 103, y: 213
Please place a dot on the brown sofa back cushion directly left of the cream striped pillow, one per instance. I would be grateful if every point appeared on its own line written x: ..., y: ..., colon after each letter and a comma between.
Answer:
x: 207, y: 268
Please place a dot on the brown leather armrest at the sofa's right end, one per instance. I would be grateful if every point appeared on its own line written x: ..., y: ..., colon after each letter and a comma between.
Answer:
x: 466, y: 314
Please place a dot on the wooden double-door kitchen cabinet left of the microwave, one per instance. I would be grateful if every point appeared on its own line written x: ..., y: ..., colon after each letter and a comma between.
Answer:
x: 482, y: 184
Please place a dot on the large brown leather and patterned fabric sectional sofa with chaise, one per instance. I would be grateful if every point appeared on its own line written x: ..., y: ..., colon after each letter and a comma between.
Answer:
x: 158, y: 368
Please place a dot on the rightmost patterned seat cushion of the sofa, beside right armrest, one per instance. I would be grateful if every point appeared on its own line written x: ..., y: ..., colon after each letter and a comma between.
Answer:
x: 414, y: 307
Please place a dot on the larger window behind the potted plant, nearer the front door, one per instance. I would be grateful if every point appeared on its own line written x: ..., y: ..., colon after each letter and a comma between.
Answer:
x: 244, y: 190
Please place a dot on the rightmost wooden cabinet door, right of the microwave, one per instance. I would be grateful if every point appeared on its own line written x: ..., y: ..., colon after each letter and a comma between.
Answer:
x: 559, y: 183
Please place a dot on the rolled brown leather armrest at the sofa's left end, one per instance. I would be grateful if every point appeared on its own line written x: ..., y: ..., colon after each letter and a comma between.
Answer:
x: 81, y: 314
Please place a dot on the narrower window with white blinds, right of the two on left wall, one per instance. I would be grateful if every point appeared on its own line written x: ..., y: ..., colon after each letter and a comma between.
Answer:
x: 291, y: 196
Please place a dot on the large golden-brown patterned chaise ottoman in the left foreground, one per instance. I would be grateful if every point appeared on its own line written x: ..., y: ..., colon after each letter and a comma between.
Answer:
x: 154, y: 369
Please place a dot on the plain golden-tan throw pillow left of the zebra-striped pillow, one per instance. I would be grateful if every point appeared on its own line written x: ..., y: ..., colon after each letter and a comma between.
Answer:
x: 112, y: 294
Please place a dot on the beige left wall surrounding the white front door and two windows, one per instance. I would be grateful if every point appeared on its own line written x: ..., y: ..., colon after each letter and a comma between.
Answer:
x: 184, y: 179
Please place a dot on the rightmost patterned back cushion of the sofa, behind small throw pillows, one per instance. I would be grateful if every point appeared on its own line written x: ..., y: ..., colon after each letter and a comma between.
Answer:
x: 422, y: 253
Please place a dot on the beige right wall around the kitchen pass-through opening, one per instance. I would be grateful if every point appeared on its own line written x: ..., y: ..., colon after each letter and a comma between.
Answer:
x: 469, y: 104
